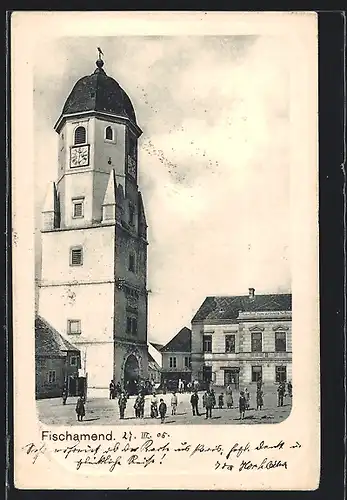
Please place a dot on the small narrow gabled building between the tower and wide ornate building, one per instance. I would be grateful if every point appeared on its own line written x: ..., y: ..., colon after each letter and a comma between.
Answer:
x: 176, y: 356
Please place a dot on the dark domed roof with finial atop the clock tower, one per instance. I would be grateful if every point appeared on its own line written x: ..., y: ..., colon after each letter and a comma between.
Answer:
x: 99, y: 92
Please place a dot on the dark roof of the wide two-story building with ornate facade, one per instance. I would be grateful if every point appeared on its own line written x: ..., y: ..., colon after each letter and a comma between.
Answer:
x: 226, y: 308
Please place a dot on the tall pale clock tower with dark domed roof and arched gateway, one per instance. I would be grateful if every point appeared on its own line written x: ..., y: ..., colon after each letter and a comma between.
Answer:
x: 93, y: 286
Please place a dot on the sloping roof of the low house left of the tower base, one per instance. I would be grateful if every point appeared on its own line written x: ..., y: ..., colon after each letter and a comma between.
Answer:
x: 49, y: 342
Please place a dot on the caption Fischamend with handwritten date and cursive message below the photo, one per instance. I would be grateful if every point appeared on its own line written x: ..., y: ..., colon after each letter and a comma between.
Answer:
x: 144, y: 449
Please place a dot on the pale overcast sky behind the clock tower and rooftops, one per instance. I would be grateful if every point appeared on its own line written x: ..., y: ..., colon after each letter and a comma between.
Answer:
x: 213, y: 164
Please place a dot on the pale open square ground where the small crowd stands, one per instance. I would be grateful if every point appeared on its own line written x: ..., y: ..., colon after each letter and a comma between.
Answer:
x: 106, y: 412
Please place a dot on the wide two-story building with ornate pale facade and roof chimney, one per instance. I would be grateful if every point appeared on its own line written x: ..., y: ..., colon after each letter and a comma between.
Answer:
x: 243, y: 339
